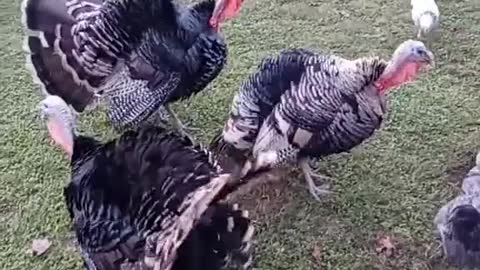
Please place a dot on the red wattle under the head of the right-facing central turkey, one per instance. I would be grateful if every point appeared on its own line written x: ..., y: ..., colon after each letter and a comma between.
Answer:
x: 405, y: 75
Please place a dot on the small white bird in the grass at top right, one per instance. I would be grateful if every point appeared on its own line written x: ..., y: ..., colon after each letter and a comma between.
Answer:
x: 425, y: 15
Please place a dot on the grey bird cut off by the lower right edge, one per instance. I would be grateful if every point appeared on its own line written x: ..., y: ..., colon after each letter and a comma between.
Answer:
x: 458, y: 223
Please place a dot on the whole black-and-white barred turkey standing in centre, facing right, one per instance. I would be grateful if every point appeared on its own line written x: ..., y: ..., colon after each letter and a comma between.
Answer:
x: 300, y: 106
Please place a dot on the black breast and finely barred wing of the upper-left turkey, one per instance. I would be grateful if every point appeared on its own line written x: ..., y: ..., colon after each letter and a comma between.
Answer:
x: 170, y: 65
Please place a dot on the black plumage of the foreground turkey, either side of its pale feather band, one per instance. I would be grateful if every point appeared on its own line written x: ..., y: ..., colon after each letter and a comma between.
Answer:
x: 123, y: 191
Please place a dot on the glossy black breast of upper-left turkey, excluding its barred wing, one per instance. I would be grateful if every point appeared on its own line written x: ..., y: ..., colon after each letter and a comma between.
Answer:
x: 193, y: 51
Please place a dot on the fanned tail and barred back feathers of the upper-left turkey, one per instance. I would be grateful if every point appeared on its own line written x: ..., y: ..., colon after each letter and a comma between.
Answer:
x: 74, y: 46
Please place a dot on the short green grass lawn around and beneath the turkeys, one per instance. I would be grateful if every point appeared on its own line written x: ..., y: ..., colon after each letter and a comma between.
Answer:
x: 392, y: 185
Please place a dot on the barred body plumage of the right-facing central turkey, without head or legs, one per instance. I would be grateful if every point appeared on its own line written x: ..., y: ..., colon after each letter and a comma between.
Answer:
x: 304, y: 102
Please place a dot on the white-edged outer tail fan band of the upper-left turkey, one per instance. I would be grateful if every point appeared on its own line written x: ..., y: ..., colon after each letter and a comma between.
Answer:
x: 49, y: 46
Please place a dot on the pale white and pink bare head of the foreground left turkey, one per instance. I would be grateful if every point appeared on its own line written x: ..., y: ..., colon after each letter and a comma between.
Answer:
x: 60, y: 121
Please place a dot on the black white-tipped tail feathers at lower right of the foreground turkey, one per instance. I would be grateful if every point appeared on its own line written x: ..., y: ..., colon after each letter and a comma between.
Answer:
x: 230, y: 237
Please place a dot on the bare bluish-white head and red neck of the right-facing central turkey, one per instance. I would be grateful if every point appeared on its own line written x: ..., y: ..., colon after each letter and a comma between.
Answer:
x: 407, y: 62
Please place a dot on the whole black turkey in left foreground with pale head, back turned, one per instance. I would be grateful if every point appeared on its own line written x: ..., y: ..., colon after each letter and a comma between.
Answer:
x: 143, y: 188
